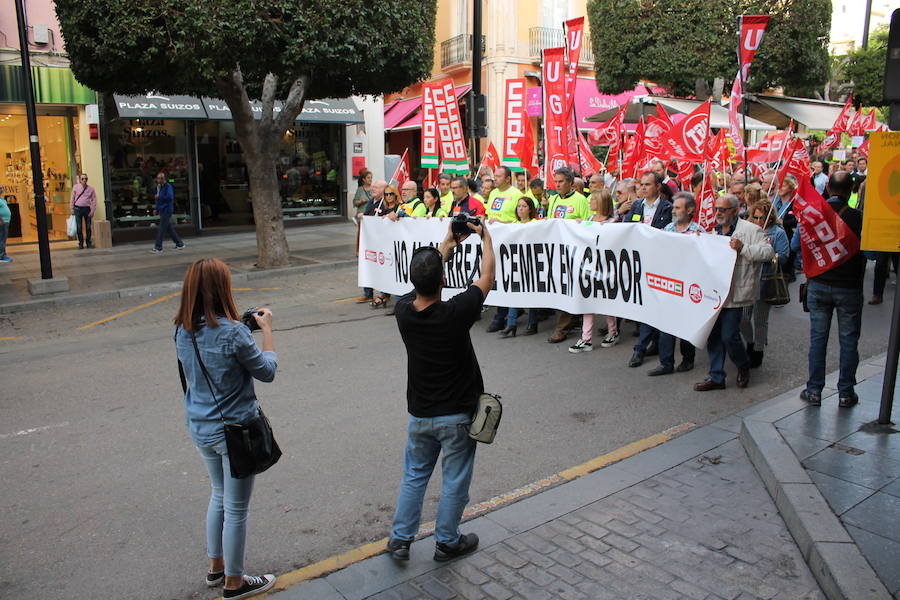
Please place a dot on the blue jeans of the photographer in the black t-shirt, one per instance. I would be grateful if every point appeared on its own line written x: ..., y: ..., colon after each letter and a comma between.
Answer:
x: 426, y: 439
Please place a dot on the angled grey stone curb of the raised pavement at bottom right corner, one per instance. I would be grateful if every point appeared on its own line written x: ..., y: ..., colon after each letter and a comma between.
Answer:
x: 833, y: 557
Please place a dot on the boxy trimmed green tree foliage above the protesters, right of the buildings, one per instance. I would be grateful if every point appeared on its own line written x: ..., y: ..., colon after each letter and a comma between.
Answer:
x: 677, y: 42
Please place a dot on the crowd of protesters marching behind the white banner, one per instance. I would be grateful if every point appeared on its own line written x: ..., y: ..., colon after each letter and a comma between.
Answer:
x: 754, y: 209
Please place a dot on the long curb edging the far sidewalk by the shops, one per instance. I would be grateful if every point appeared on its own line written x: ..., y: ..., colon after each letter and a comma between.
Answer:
x: 170, y: 286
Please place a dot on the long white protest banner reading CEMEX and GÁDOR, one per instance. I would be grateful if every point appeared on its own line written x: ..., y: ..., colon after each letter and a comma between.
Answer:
x: 673, y: 282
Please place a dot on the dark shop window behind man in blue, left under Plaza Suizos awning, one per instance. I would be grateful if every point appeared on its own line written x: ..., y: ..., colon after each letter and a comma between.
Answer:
x: 138, y: 150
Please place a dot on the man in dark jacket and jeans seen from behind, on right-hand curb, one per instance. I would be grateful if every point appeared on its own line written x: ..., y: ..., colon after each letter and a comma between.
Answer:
x: 838, y: 289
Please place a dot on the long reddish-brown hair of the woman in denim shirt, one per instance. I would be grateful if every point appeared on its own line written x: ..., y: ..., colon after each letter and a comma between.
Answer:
x: 206, y: 293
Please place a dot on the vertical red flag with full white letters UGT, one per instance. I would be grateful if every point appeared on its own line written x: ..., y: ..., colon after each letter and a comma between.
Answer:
x: 556, y: 119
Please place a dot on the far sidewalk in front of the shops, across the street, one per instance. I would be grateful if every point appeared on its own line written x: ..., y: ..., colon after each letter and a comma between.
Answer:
x: 131, y: 269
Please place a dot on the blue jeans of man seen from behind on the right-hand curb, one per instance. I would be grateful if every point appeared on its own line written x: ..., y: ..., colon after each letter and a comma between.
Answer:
x: 823, y: 300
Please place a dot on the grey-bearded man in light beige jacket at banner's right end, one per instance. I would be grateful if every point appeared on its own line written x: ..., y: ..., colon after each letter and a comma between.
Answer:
x: 753, y: 249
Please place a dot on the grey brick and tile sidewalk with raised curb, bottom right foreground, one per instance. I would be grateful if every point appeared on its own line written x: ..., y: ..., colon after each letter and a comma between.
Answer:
x: 691, y: 518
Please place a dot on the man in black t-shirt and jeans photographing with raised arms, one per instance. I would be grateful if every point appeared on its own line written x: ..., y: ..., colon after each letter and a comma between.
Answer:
x: 443, y: 386
